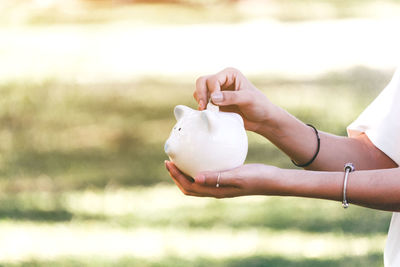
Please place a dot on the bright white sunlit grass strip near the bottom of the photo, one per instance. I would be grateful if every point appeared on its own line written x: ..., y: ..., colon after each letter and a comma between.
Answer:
x: 24, y: 241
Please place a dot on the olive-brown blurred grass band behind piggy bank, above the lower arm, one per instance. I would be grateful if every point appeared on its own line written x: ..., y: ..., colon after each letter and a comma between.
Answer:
x: 61, y: 136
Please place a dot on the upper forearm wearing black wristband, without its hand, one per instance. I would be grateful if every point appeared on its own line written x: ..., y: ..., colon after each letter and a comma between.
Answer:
x: 299, y: 142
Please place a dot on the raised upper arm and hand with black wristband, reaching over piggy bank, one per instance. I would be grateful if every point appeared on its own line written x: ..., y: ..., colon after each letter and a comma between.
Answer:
x: 233, y: 92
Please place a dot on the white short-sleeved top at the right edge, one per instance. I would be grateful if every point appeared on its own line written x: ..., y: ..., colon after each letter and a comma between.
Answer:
x: 381, y: 123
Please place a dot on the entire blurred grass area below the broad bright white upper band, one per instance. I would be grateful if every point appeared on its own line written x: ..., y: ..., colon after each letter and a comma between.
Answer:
x: 82, y: 163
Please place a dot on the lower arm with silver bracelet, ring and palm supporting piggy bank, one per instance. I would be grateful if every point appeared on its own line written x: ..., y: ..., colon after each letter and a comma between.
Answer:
x: 378, y: 189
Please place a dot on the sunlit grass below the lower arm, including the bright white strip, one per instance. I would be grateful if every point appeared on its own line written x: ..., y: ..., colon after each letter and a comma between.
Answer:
x: 154, y: 224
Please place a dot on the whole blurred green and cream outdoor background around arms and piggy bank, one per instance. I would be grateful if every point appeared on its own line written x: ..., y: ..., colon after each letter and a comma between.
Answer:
x: 87, y: 90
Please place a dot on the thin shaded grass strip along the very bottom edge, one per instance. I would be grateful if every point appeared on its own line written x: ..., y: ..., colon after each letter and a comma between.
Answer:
x: 370, y: 260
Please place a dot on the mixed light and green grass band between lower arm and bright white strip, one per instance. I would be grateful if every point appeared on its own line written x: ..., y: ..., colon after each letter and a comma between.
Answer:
x: 152, y: 207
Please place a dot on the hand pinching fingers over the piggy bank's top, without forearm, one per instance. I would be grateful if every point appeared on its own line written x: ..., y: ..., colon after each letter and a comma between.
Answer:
x: 233, y: 92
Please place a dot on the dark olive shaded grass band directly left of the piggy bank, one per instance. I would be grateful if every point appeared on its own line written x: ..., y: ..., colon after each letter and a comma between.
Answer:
x: 80, y: 169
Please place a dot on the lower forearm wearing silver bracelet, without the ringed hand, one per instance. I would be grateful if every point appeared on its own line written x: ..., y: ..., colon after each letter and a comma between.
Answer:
x: 378, y: 189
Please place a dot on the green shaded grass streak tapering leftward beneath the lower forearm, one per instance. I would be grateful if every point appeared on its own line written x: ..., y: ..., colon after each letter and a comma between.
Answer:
x: 278, y: 214
